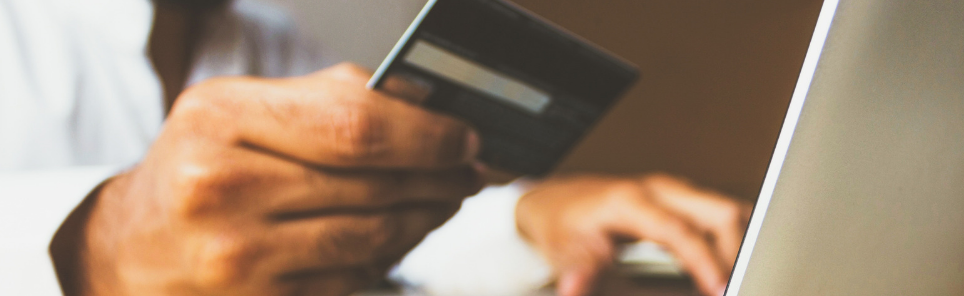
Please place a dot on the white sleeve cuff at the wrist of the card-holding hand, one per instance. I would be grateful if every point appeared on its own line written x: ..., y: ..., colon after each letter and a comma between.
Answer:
x: 33, y: 205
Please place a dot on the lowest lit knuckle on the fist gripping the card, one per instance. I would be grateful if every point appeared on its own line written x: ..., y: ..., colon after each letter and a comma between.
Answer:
x: 225, y: 261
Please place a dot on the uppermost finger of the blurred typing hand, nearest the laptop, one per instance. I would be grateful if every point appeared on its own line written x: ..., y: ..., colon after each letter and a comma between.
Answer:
x: 724, y: 218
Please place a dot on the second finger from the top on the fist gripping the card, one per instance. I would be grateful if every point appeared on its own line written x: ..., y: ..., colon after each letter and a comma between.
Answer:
x: 241, y: 180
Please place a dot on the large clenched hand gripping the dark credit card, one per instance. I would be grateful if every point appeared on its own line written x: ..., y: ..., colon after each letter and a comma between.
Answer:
x: 302, y: 186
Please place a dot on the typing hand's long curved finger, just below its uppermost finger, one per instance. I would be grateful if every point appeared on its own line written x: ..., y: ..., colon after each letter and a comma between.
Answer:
x: 693, y: 250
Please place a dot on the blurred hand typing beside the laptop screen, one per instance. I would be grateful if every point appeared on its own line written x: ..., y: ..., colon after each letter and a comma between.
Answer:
x: 577, y: 223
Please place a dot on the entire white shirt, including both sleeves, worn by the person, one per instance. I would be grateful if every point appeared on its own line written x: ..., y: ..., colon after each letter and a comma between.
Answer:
x: 80, y: 101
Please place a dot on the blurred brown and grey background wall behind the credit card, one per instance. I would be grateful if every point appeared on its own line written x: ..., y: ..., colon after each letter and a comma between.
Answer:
x: 716, y: 76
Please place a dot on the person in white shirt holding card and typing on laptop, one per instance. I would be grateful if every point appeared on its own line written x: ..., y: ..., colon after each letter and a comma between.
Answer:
x: 145, y: 148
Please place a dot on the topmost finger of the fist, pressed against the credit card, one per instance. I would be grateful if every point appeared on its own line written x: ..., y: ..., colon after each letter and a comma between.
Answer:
x: 325, y: 120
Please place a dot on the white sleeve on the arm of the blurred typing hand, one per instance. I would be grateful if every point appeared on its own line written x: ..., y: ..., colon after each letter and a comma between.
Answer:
x: 477, y: 252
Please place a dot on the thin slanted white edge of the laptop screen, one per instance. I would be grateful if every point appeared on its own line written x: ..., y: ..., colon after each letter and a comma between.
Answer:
x: 820, y: 32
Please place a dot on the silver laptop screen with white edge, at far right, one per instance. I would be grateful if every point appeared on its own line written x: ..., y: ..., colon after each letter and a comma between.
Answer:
x: 868, y: 197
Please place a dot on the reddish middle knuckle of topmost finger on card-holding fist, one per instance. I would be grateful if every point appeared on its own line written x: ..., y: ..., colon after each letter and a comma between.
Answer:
x: 358, y: 133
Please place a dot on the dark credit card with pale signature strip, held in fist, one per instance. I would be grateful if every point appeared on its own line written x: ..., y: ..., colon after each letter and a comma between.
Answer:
x: 530, y: 88
